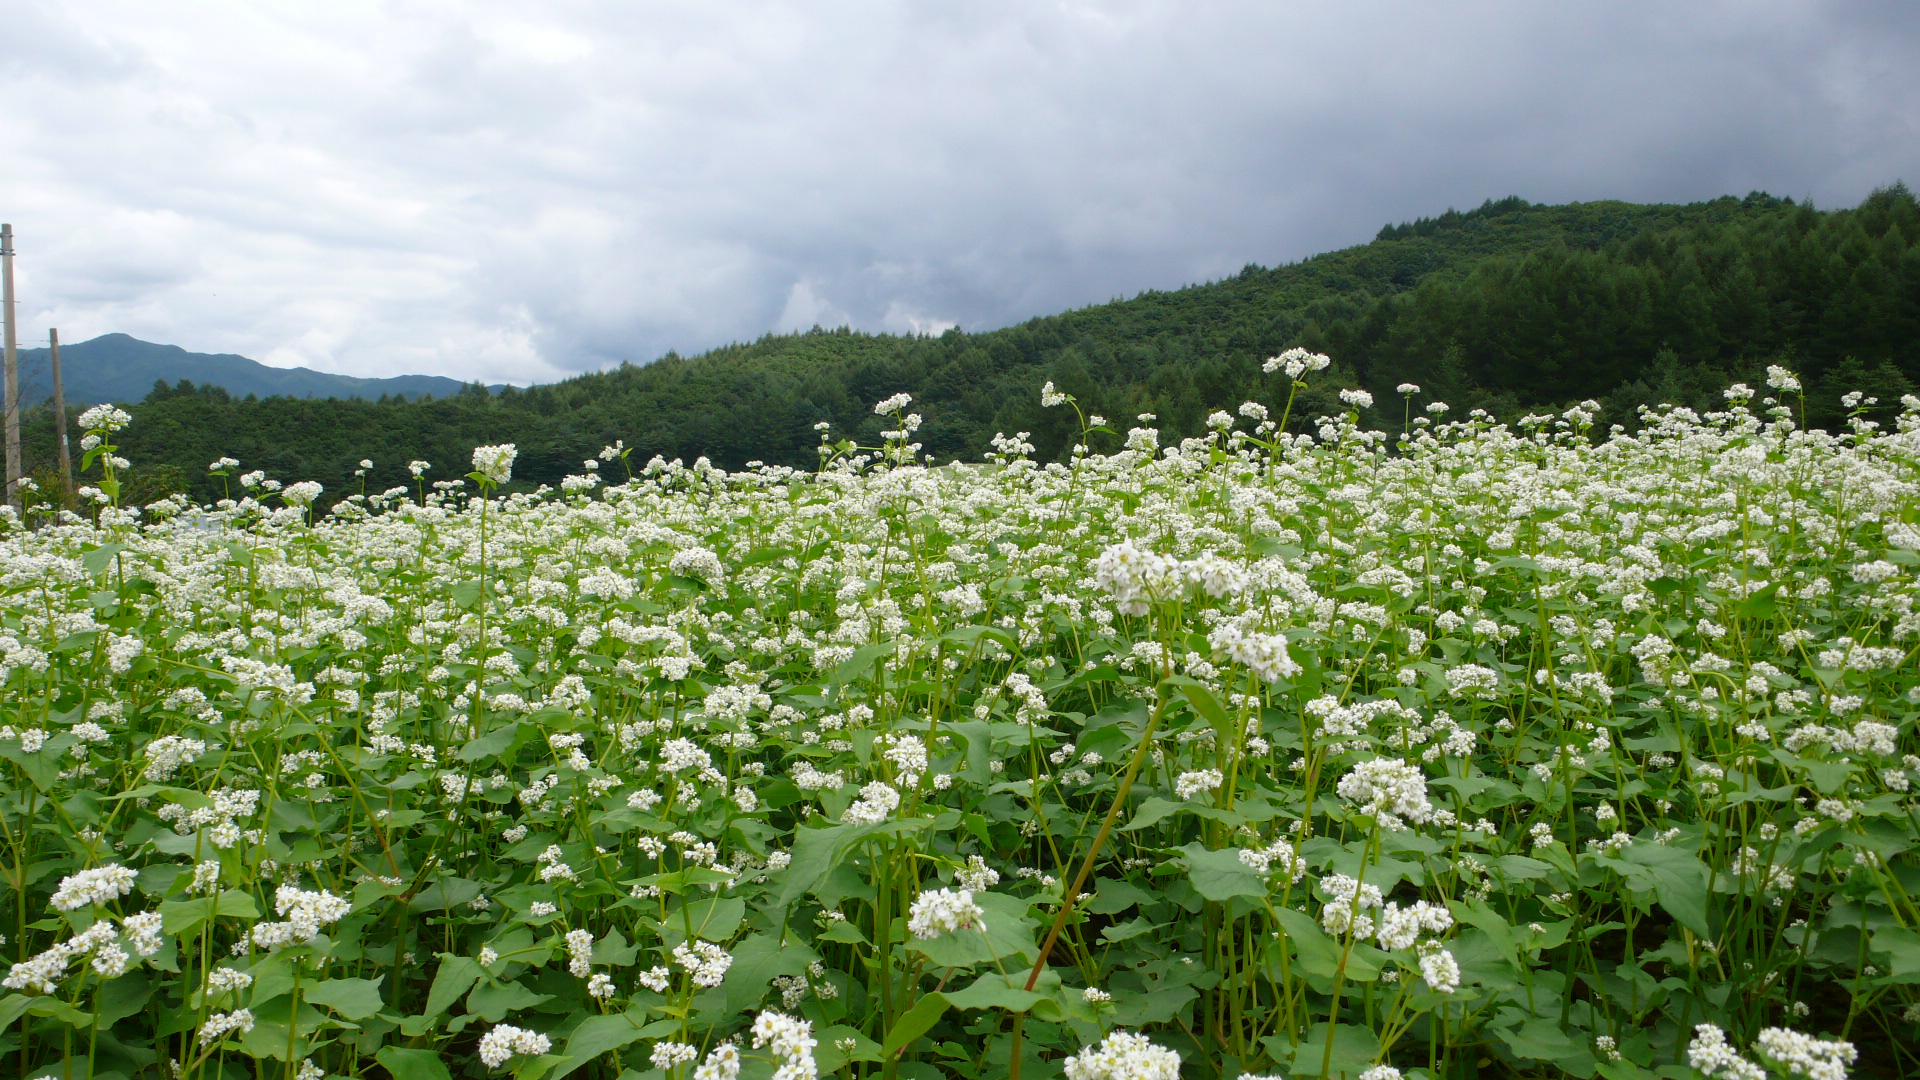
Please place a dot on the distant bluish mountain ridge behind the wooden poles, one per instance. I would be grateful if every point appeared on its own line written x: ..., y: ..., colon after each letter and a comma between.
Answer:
x: 120, y: 368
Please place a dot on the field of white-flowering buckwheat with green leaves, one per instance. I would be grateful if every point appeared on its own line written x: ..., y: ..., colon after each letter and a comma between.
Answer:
x: 1481, y: 750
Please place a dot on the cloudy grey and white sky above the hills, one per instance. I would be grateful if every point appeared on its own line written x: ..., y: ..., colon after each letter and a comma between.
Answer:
x: 525, y: 191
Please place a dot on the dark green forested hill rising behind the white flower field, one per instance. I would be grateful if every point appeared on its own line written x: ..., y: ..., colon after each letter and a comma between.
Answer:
x: 1508, y: 307
